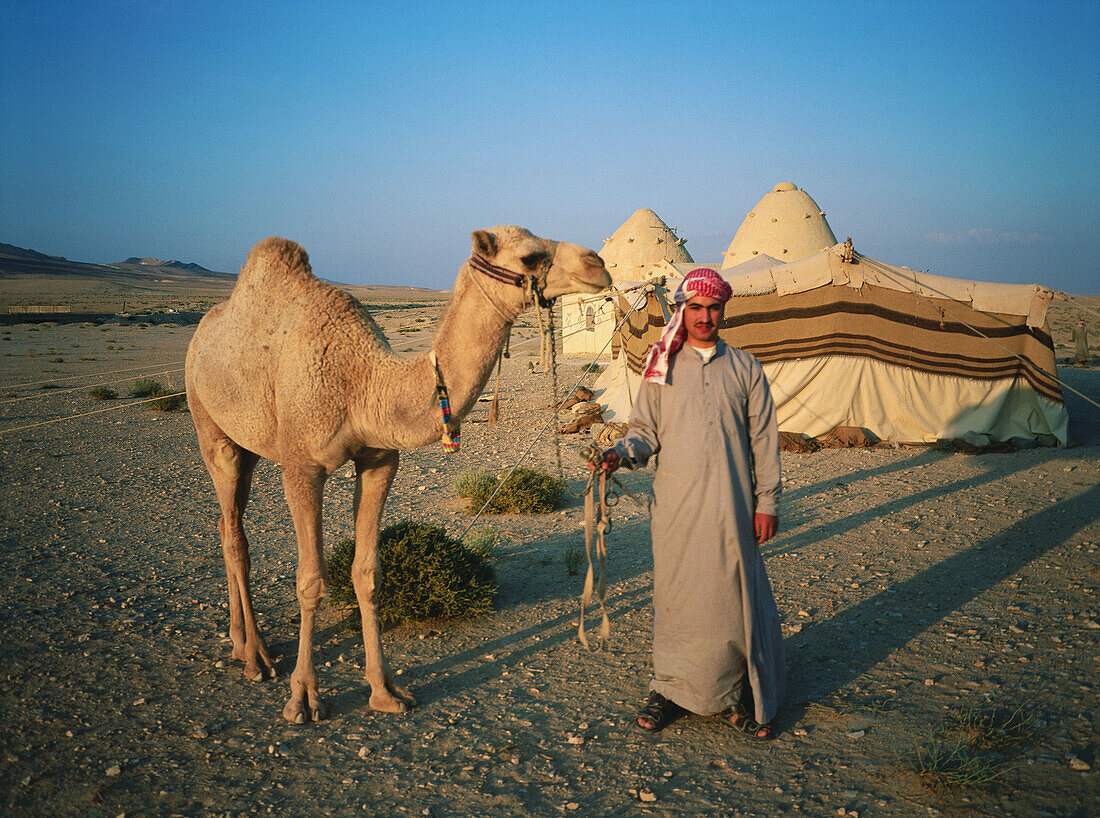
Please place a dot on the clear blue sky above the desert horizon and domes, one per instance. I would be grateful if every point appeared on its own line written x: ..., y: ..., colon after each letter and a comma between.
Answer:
x: 962, y: 138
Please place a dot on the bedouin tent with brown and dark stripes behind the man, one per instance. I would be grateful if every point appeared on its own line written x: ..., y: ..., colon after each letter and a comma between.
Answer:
x: 846, y: 340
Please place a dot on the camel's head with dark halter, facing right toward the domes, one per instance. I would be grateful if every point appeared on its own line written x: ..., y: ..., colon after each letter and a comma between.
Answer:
x: 559, y: 268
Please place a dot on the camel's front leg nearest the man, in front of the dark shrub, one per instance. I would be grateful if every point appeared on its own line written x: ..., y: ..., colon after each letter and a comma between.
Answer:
x: 375, y: 474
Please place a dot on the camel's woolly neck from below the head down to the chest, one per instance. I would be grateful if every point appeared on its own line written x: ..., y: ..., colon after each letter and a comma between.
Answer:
x: 401, y: 410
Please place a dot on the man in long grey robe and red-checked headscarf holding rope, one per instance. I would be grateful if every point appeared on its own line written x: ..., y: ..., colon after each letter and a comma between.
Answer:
x: 706, y: 410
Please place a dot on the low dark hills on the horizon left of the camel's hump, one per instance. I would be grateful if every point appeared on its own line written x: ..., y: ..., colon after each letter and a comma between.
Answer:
x: 19, y: 262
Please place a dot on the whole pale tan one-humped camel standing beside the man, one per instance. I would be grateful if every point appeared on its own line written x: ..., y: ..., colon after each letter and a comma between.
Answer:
x: 296, y: 371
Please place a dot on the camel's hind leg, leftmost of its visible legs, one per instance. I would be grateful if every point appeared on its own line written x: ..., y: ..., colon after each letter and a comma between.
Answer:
x: 232, y: 470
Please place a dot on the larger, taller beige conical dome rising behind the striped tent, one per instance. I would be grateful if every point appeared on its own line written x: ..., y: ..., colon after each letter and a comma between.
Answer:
x: 786, y: 224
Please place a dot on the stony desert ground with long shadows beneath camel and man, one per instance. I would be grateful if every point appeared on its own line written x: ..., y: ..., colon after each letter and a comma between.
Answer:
x: 933, y: 603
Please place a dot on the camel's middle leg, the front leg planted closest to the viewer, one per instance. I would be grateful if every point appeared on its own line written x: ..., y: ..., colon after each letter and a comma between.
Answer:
x: 304, y: 491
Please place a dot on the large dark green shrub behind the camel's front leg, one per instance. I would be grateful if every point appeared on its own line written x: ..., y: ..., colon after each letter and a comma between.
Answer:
x: 425, y: 574
